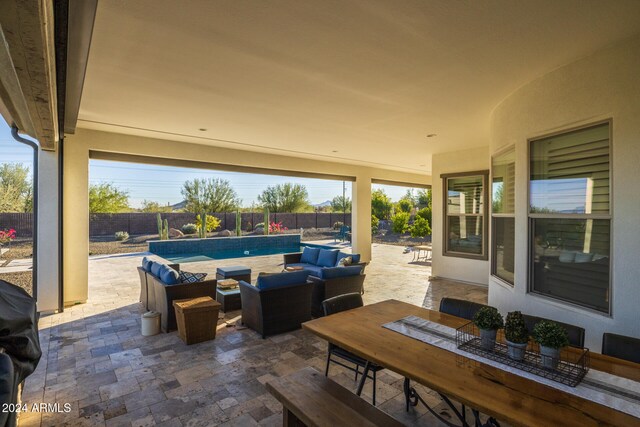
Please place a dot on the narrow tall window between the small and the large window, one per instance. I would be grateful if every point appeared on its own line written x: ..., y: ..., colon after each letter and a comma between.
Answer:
x: 503, y: 167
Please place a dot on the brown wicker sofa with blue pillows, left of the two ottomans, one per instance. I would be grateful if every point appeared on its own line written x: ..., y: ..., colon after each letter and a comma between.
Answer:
x: 158, y: 290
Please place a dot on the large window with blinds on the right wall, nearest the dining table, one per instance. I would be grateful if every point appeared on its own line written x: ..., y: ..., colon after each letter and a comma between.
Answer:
x: 570, y: 222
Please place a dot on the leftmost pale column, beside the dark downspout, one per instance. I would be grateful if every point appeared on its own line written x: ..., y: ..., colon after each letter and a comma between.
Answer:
x: 47, y: 252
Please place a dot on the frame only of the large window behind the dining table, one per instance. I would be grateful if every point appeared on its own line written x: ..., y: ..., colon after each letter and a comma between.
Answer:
x: 532, y: 216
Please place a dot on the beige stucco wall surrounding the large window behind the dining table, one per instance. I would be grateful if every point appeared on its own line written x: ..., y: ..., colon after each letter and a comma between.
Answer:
x: 602, y: 86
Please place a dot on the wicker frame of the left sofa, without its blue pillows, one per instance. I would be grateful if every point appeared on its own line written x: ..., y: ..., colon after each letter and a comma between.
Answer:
x: 164, y: 295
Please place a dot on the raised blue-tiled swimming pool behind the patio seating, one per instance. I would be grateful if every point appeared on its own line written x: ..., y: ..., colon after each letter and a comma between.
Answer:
x: 193, y: 250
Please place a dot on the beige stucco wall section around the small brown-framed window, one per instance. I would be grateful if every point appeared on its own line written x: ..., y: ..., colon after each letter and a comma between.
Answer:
x: 467, y: 270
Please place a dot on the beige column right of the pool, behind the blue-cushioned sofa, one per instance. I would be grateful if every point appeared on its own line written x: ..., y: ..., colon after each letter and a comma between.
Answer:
x: 361, y: 216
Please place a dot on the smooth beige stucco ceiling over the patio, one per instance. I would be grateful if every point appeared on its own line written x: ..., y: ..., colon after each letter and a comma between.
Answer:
x: 362, y: 82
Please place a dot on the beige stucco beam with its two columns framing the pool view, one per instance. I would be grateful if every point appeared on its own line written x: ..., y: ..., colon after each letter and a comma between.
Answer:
x: 76, y: 174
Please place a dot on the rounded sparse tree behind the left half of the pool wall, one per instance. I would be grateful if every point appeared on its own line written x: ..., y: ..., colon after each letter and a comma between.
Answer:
x: 209, y: 195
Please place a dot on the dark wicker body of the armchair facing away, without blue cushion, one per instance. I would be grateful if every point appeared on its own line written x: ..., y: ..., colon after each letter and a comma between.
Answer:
x: 276, y: 310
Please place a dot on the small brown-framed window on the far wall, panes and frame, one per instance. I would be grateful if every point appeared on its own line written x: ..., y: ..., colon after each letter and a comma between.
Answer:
x: 465, y: 205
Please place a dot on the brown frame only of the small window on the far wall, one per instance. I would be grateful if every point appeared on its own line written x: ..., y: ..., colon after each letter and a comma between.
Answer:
x: 484, y: 174
